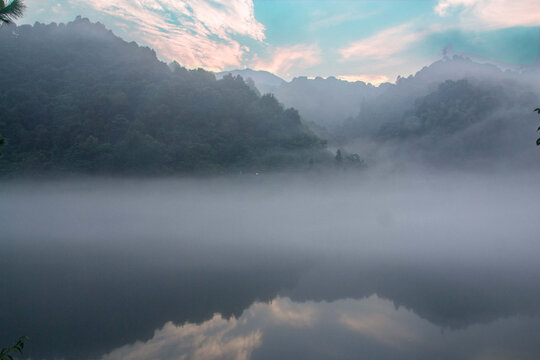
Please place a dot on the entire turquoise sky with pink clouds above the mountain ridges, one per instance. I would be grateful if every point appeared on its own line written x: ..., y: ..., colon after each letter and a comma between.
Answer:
x: 373, y: 41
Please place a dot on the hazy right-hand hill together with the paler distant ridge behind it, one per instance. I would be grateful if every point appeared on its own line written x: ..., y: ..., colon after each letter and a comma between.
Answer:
x: 455, y: 113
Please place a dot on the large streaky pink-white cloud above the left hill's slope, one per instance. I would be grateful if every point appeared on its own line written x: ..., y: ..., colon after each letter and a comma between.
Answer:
x: 194, y: 32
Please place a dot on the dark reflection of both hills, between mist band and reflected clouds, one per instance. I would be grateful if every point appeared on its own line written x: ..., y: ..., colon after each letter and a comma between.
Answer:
x: 92, y: 299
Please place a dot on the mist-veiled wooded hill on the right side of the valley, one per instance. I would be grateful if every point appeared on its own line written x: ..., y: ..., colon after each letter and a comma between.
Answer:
x: 452, y: 112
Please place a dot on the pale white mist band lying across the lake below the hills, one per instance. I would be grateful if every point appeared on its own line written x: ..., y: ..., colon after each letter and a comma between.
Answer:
x: 402, y: 215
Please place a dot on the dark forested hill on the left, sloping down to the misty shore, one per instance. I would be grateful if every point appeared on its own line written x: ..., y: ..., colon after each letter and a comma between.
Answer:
x: 77, y: 98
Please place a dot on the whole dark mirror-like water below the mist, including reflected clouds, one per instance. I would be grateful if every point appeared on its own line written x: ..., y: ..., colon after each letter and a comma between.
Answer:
x: 78, y: 303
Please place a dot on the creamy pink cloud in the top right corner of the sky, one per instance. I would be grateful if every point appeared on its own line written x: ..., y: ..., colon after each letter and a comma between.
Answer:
x: 492, y: 14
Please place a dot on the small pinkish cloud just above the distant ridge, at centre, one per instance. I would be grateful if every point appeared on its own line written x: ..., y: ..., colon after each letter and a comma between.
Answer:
x: 284, y: 59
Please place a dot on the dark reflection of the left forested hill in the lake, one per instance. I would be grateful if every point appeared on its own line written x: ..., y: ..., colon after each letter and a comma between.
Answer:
x: 77, y: 302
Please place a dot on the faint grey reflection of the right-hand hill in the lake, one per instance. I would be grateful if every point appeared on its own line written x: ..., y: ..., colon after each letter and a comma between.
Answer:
x: 451, y: 296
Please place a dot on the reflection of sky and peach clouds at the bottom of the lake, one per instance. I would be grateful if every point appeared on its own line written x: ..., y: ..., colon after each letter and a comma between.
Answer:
x: 370, y: 328
